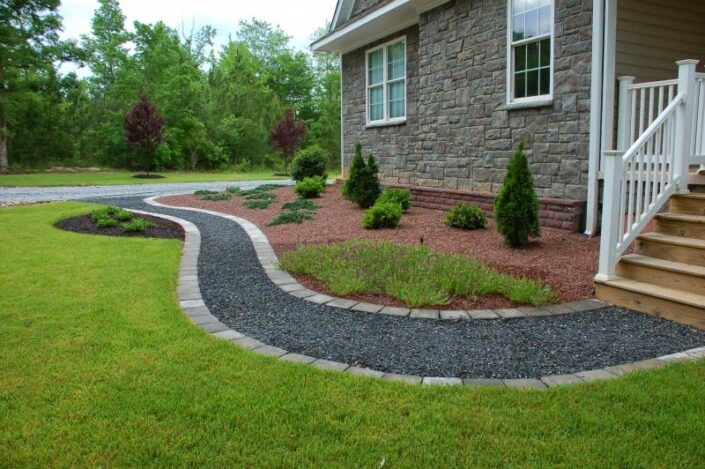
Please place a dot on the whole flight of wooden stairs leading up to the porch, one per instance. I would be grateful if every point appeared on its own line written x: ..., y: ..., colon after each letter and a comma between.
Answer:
x: 665, y: 276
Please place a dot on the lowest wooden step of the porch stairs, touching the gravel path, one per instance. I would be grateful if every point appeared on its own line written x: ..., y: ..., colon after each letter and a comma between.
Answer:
x: 667, y: 303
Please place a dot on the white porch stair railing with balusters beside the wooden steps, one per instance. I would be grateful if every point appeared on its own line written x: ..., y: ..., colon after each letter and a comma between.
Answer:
x: 657, y: 138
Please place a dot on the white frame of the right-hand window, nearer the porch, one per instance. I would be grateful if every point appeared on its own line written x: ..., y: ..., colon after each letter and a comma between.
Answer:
x: 540, y: 100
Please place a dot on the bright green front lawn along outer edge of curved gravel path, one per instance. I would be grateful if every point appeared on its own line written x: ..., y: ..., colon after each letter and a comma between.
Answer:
x: 98, y: 367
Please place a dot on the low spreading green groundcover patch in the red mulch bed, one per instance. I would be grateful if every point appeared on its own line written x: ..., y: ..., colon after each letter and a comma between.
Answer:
x: 416, y: 275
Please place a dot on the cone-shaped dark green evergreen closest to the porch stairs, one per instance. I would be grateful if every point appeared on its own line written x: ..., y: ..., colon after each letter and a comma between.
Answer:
x: 516, y: 209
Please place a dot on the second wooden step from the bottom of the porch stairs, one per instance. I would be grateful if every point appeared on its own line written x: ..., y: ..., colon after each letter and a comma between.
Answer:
x: 669, y: 274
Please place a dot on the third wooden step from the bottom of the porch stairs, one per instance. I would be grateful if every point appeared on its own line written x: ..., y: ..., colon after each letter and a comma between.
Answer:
x: 672, y: 248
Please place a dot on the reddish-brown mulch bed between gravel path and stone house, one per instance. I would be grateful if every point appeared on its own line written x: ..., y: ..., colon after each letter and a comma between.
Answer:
x: 565, y: 261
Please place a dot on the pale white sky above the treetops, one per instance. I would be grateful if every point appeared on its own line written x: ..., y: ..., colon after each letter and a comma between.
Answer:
x: 298, y: 22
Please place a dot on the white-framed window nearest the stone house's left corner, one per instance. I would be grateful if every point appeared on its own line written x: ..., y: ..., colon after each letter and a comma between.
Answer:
x: 386, y: 83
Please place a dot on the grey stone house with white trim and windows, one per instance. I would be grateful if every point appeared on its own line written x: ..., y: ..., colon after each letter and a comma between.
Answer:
x: 441, y: 92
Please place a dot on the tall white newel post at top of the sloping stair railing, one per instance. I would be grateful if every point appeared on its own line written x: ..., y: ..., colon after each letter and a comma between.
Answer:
x: 684, y: 117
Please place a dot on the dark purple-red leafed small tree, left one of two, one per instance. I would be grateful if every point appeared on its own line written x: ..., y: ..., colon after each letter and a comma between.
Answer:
x: 144, y: 132
